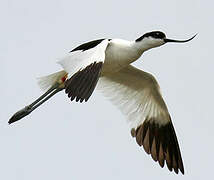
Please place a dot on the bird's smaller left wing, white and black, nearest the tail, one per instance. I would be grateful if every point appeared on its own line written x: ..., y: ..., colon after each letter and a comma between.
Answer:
x: 83, y: 65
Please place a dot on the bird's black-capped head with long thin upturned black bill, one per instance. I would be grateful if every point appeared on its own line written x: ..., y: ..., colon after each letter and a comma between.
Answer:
x: 155, y: 39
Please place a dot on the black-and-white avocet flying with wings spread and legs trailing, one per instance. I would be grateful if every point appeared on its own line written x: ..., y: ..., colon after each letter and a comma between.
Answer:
x: 107, y: 64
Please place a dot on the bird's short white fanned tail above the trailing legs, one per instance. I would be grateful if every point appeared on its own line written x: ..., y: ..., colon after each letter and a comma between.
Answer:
x: 46, y: 82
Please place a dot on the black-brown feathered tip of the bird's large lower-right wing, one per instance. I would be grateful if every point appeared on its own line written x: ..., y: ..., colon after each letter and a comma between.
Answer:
x: 161, y: 142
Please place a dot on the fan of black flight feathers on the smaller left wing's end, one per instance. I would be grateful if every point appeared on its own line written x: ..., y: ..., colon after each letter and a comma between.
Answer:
x: 82, y: 84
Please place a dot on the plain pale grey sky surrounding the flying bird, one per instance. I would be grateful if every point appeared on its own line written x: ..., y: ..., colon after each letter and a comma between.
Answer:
x: 64, y: 140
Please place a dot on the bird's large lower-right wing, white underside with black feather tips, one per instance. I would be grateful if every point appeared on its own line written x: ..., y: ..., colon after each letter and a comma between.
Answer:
x: 137, y: 95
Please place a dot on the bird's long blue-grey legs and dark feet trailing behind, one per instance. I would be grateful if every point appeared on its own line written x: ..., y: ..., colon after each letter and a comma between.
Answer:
x: 57, y: 87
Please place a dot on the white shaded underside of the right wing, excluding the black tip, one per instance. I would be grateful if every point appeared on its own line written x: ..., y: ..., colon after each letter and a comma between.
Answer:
x: 136, y: 94
